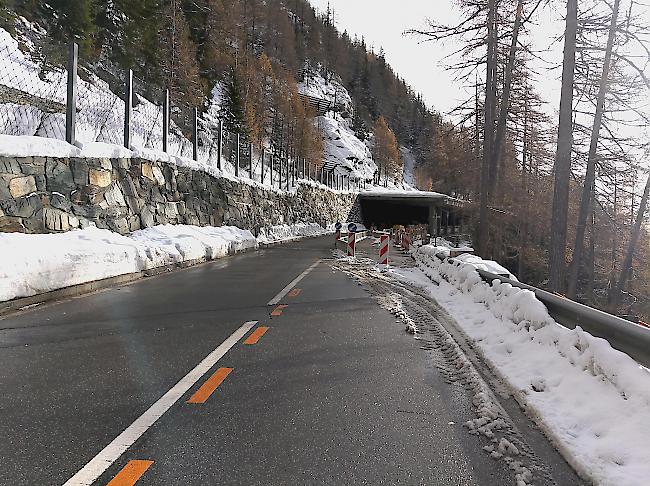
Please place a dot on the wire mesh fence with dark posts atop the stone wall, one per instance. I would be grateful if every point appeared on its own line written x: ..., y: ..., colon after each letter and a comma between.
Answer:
x: 36, y: 97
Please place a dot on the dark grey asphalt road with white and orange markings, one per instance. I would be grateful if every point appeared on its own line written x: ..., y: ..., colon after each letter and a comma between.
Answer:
x: 333, y: 392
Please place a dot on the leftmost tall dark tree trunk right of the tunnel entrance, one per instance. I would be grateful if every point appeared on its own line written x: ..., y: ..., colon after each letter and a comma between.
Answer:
x: 488, y: 138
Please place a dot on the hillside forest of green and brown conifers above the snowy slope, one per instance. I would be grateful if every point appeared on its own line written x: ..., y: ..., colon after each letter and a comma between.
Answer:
x: 256, y: 57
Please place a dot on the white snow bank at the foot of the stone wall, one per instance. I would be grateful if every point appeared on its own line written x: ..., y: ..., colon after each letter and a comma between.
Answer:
x: 32, y: 264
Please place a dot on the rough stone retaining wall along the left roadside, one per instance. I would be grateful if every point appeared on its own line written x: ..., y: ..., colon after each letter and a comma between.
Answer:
x: 47, y: 194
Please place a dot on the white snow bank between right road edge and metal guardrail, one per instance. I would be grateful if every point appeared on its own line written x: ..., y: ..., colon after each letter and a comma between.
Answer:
x: 592, y: 400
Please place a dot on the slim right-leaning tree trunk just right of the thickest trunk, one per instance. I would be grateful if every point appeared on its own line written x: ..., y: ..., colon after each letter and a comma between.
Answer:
x: 590, y: 177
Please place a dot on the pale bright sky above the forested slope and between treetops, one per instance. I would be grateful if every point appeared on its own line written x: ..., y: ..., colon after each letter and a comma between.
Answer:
x: 383, y: 22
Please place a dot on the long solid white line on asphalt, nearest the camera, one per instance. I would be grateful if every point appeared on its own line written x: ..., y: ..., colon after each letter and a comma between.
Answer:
x: 102, y: 461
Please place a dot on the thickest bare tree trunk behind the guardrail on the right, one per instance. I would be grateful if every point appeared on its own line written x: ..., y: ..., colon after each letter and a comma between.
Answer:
x: 563, y: 155
